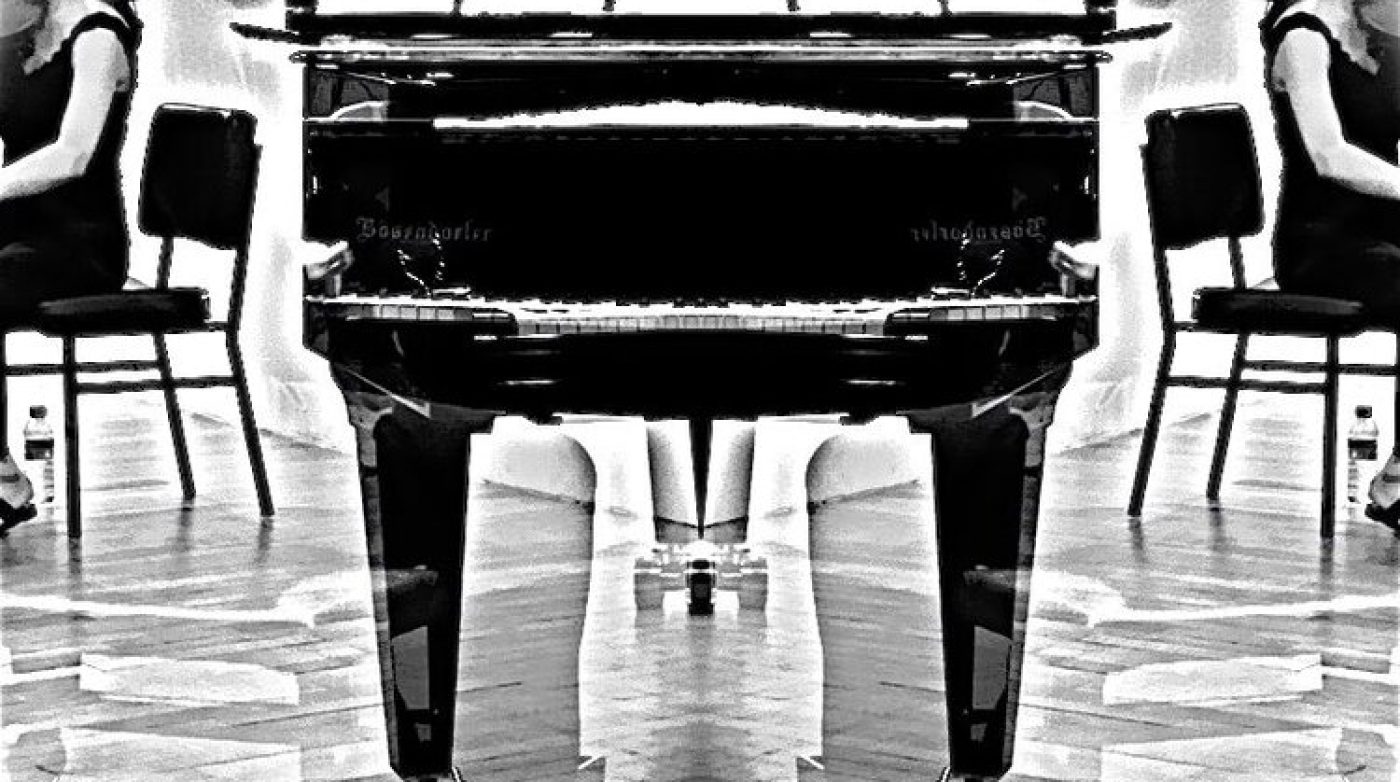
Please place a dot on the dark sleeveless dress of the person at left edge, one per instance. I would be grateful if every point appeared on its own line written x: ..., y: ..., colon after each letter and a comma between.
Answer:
x: 80, y: 226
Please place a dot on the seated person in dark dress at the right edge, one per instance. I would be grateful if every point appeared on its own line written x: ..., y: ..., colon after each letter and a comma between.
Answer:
x: 1335, y: 85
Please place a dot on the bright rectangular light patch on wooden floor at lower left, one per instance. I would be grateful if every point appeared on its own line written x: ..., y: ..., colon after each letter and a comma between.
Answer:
x: 192, y: 682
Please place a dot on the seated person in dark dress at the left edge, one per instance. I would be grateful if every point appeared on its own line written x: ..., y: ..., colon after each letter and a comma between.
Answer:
x: 66, y: 76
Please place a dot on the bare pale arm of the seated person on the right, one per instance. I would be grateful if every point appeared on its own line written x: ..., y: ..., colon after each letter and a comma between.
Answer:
x: 1301, y: 69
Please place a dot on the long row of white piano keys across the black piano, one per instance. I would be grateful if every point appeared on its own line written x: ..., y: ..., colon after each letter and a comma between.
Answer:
x: 871, y: 318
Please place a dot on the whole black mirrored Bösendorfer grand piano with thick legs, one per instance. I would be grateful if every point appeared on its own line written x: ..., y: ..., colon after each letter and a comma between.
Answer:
x: 820, y: 211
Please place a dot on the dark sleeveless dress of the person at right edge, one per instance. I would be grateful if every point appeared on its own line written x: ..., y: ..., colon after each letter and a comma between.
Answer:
x: 1329, y: 239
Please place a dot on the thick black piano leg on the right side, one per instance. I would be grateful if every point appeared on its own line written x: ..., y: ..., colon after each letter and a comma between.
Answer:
x: 988, y: 472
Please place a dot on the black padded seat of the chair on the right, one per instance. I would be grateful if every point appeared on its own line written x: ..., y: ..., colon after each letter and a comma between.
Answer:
x: 1272, y: 311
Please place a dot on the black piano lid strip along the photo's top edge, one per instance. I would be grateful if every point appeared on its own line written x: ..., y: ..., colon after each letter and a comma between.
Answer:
x: 423, y: 22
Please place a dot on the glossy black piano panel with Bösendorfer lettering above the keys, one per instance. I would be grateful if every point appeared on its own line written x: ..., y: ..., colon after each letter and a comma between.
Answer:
x: 766, y: 212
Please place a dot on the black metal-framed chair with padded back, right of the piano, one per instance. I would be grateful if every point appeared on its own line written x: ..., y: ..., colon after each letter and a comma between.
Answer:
x: 1203, y: 184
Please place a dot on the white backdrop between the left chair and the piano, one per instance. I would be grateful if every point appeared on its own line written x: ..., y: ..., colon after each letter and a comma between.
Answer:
x: 191, y: 55
